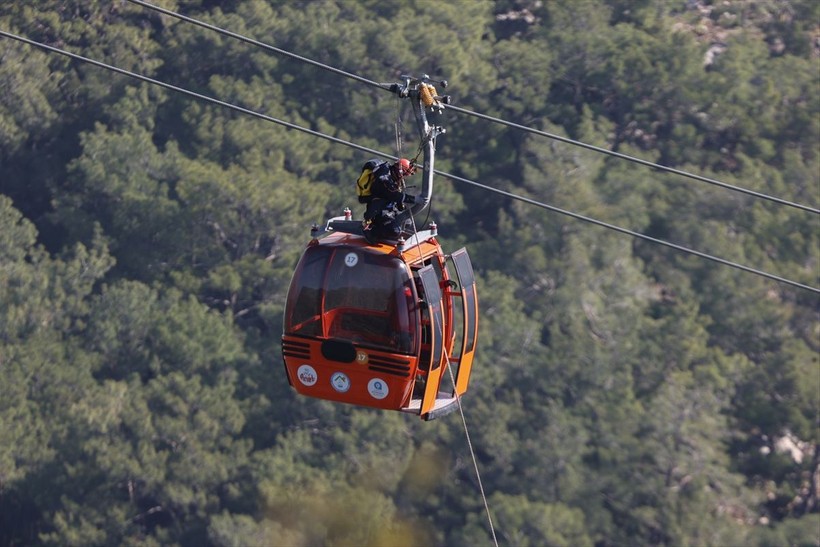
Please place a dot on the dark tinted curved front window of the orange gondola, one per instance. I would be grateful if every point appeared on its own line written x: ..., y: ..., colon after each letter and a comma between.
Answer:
x: 350, y: 293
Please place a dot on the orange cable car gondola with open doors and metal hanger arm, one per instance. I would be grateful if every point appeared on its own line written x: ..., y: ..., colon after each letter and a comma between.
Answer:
x: 373, y: 323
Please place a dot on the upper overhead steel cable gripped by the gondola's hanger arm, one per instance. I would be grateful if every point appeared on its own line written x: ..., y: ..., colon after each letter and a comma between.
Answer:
x: 486, y: 117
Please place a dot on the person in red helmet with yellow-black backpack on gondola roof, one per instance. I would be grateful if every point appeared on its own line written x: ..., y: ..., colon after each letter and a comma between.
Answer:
x: 382, y: 189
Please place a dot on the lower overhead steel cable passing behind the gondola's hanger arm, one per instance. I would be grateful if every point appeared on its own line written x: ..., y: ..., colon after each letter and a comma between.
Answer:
x: 386, y: 155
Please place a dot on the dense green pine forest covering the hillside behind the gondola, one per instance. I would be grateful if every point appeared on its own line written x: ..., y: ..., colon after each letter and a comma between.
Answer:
x: 624, y: 392
